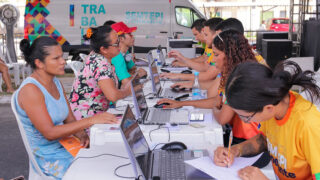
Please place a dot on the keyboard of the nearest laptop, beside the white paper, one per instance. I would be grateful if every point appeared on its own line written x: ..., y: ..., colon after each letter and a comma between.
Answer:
x: 172, y: 165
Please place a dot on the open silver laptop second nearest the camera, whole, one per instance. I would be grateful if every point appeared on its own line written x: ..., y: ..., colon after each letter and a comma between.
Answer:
x: 155, y: 116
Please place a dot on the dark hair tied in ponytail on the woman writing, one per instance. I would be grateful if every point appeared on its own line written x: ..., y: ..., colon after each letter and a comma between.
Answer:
x: 252, y: 85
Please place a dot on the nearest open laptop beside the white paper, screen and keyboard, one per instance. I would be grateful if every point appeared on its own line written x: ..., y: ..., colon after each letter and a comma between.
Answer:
x: 157, y: 164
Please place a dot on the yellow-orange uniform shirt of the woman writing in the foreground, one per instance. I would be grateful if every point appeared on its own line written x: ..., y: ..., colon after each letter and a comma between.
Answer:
x: 294, y: 141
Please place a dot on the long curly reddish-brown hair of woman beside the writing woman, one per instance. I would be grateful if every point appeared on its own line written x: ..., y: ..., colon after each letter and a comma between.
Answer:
x: 236, y: 49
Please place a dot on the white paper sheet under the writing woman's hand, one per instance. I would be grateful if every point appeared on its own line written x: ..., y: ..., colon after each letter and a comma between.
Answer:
x: 206, y: 165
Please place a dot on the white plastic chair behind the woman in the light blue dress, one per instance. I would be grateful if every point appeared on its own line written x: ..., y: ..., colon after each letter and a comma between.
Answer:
x: 32, y: 160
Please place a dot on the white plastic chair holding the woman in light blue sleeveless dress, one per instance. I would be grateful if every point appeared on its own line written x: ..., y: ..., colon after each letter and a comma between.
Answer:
x: 35, y: 172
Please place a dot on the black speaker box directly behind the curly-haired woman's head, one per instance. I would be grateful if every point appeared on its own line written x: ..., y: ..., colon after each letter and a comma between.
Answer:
x: 276, y: 50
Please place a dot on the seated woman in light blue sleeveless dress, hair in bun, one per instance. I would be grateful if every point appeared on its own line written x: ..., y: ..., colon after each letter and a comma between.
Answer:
x: 44, y: 111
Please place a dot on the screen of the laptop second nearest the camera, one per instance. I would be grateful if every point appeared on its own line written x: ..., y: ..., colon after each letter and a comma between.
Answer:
x: 139, y: 99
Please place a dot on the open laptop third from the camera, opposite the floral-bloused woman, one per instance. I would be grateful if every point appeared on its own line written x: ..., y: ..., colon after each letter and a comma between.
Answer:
x: 157, y: 90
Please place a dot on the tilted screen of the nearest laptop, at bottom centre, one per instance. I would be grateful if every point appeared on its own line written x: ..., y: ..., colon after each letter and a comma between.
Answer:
x: 134, y: 137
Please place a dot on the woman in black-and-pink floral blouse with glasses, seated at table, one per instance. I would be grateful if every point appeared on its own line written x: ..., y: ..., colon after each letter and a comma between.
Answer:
x: 97, y: 84
